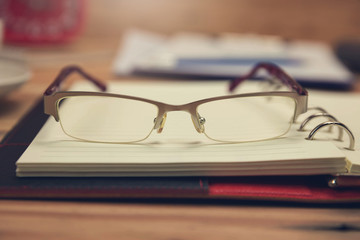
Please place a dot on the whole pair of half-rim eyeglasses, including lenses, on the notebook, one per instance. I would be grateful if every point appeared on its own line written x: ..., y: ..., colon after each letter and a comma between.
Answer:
x: 115, y: 118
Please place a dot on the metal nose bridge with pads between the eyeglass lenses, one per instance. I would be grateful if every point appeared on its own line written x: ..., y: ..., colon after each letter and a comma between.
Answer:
x: 197, y: 120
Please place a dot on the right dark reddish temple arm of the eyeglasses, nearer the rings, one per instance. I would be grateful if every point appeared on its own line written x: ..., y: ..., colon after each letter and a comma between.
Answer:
x: 274, y: 70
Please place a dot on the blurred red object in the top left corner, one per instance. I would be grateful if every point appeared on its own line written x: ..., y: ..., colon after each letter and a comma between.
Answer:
x: 42, y: 21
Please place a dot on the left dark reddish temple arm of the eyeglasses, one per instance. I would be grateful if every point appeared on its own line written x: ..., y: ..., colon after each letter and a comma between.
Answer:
x: 65, y: 72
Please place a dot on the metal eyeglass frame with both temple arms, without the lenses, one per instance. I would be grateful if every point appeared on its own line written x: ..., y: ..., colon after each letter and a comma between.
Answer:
x: 52, y: 96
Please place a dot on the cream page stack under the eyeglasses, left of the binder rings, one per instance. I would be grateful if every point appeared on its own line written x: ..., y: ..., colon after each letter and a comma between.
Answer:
x: 179, y: 147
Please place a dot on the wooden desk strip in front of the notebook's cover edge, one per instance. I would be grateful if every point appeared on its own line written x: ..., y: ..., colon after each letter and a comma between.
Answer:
x: 84, y: 220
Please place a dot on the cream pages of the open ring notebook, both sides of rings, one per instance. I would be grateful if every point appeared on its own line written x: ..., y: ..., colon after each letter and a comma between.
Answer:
x: 181, y: 151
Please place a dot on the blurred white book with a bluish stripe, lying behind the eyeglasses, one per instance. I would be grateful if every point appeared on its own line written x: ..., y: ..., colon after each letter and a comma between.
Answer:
x: 227, y: 56
